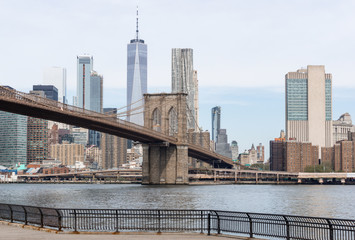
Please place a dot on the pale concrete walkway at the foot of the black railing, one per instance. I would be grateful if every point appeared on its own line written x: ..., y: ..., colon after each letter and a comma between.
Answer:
x: 13, y: 231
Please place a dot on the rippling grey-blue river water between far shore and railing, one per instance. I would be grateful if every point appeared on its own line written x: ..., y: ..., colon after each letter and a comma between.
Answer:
x: 334, y: 201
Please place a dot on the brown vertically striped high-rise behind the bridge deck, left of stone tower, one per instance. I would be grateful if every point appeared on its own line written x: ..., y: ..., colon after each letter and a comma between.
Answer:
x: 114, y: 149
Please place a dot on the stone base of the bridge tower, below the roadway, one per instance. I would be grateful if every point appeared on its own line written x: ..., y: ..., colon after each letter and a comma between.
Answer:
x: 164, y: 164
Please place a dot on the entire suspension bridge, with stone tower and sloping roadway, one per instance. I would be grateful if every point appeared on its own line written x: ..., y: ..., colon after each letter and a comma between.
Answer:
x: 166, y: 148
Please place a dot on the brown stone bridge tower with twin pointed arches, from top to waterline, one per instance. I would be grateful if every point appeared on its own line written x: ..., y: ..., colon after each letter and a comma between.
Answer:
x: 164, y: 163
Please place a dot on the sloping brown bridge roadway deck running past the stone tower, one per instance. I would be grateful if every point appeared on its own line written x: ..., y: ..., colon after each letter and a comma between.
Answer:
x: 35, y: 106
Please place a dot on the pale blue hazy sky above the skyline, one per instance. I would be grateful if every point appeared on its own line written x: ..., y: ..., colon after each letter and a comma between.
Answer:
x: 242, y: 50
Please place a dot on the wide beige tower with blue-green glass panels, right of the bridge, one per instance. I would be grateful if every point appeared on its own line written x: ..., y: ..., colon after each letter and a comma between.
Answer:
x: 309, y: 106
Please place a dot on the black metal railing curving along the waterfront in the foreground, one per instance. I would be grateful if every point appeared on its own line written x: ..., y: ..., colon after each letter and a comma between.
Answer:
x: 204, y: 221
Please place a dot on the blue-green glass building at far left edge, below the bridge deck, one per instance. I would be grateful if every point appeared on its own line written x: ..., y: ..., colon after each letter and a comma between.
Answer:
x: 13, y: 139
